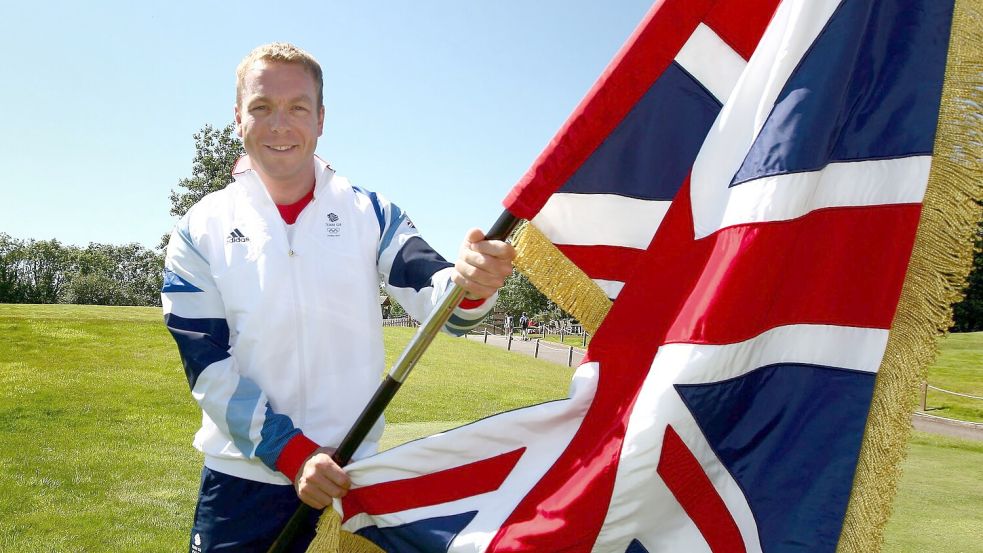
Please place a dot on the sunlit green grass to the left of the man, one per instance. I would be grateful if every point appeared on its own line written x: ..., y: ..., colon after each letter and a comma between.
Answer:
x: 94, y: 431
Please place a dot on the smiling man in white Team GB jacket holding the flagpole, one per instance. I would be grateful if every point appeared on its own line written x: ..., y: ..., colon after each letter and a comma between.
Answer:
x: 271, y: 293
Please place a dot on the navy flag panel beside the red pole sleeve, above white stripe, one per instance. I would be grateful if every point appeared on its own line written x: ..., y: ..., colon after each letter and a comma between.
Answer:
x: 651, y: 151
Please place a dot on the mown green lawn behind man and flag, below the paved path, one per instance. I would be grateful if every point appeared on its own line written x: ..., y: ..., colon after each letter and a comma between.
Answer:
x: 96, y: 424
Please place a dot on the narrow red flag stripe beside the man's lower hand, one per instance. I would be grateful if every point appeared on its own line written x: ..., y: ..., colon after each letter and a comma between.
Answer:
x: 432, y: 489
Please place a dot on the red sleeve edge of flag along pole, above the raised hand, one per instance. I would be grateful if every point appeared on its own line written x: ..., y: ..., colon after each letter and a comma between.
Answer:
x: 639, y: 63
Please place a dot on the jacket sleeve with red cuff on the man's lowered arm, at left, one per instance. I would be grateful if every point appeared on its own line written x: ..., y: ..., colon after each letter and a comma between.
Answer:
x: 195, y: 316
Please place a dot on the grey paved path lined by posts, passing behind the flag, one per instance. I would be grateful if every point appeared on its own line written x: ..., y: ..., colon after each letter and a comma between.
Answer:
x: 552, y: 351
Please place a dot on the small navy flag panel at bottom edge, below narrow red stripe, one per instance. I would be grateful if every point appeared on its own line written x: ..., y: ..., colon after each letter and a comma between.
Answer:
x: 429, y: 535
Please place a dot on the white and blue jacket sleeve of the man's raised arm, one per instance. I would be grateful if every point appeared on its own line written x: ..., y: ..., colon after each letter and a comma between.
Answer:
x: 416, y: 275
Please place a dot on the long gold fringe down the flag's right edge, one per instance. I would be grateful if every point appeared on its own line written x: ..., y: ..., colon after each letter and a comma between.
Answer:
x: 942, y: 257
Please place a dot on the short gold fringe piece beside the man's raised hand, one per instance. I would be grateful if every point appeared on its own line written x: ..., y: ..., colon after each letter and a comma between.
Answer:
x: 556, y: 276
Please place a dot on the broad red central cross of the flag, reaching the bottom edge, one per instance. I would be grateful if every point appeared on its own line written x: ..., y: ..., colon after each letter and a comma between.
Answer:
x: 842, y: 266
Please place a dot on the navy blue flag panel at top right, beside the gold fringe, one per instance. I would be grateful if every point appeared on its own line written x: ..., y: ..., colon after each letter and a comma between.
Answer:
x: 868, y: 88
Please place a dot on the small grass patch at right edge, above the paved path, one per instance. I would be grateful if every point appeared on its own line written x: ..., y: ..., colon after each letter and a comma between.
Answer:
x: 958, y: 368
